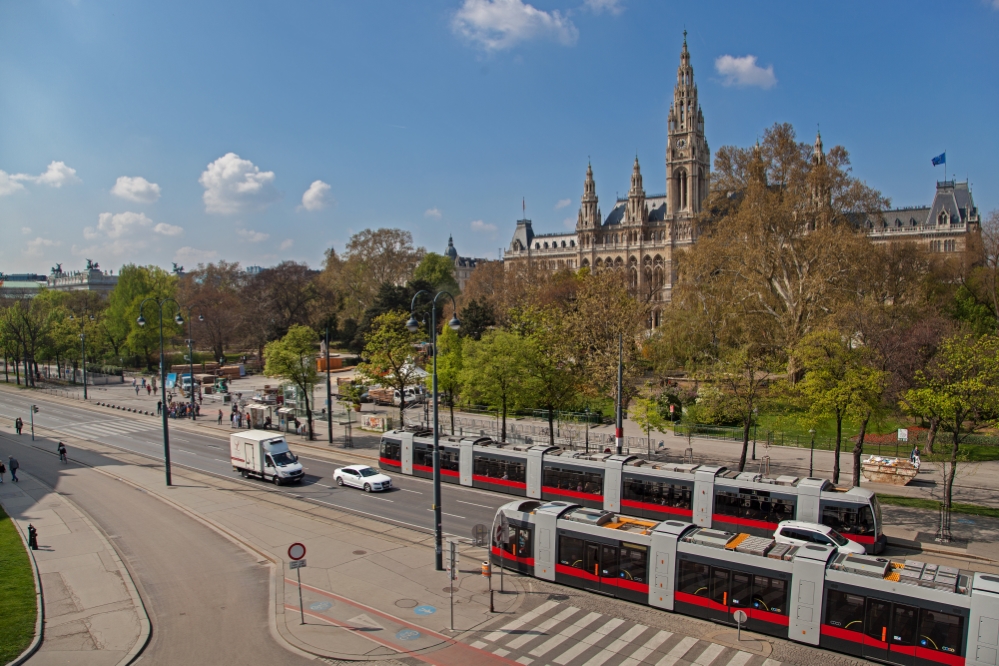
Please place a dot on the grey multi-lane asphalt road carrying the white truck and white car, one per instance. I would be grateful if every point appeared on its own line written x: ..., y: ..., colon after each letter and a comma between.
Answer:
x: 409, y: 503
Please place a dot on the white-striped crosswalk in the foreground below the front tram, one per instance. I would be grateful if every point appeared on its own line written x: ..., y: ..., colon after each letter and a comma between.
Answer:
x: 564, y: 635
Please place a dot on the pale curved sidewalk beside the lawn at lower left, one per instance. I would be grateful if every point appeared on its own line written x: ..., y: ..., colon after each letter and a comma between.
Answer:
x: 93, y: 613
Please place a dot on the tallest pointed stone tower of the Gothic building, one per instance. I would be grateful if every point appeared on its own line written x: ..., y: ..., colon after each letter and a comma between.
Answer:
x: 688, y: 160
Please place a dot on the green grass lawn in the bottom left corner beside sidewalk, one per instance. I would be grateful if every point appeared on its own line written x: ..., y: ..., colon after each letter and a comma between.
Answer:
x: 17, y: 593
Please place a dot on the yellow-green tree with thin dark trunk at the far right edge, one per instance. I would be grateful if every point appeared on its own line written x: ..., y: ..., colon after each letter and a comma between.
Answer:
x: 960, y: 388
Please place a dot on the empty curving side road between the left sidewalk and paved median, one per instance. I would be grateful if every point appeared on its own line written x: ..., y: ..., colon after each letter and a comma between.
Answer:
x: 207, y: 598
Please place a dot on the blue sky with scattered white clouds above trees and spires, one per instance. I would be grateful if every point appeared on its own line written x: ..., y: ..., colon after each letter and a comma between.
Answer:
x: 257, y: 132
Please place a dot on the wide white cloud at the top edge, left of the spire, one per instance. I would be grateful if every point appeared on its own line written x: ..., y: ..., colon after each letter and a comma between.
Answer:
x: 495, y: 25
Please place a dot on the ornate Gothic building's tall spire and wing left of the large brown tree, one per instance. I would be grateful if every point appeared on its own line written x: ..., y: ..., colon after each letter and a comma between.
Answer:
x: 641, y: 232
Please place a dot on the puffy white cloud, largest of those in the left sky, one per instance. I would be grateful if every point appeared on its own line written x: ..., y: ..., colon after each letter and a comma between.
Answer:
x: 233, y: 185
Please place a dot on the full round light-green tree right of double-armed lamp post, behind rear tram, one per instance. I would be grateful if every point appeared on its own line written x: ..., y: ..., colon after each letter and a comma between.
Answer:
x: 493, y: 372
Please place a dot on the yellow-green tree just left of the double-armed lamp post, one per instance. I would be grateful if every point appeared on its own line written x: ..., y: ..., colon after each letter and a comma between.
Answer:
x: 390, y: 354
